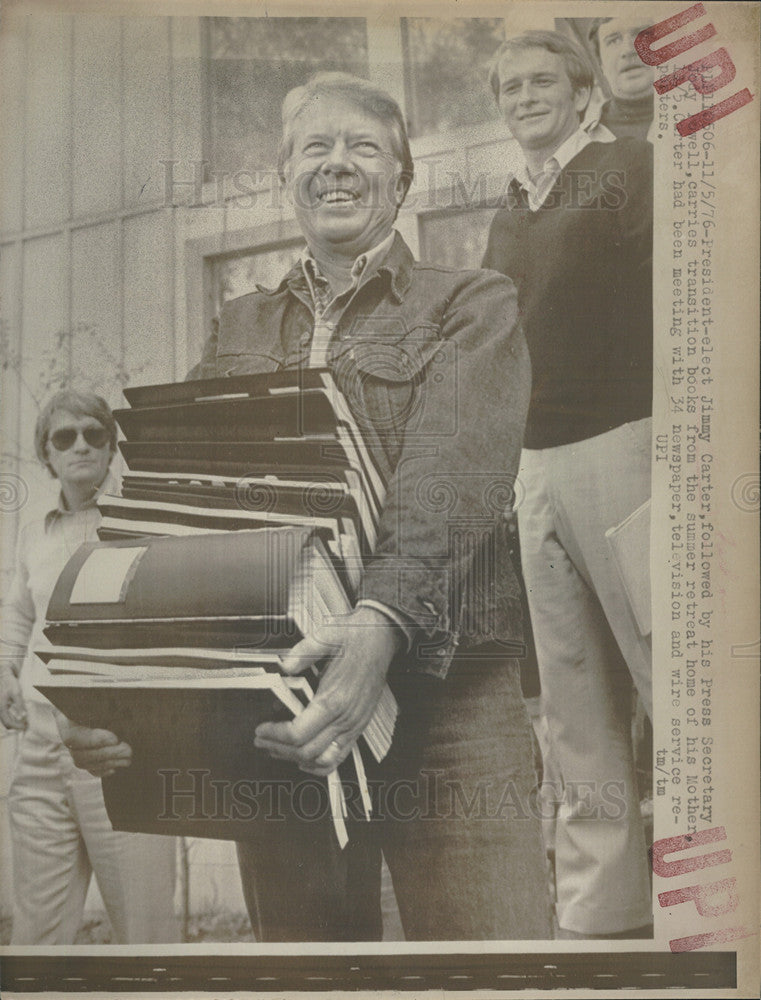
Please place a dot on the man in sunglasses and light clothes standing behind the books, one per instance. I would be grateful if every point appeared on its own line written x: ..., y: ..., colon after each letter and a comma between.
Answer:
x: 60, y: 831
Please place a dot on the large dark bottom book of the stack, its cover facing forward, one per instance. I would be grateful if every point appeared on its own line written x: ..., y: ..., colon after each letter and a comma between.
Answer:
x: 195, y: 770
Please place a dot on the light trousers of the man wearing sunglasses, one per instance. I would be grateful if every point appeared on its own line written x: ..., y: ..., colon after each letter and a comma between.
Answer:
x: 61, y: 834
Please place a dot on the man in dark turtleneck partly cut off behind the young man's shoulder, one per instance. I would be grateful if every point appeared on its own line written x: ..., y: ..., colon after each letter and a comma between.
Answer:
x: 631, y: 109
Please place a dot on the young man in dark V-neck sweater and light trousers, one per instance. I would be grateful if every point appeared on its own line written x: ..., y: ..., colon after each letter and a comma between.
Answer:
x: 576, y: 237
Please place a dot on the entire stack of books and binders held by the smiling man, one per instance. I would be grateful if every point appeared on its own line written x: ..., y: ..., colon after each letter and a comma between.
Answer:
x: 248, y: 509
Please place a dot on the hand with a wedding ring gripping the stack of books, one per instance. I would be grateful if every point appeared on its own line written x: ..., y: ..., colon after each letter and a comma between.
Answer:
x: 361, y: 647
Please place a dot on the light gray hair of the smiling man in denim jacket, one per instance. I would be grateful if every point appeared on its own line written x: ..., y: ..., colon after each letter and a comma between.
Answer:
x: 355, y: 90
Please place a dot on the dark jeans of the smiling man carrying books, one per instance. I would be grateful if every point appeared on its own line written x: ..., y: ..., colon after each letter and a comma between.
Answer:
x: 455, y: 815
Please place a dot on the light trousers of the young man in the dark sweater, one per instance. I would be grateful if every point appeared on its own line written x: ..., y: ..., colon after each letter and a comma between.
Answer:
x: 589, y: 650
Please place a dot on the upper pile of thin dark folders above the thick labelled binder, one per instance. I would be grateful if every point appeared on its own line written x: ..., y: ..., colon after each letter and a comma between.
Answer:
x: 246, y: 452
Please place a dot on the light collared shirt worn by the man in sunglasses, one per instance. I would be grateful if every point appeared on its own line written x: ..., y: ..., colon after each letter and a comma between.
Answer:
x: 43, y: 548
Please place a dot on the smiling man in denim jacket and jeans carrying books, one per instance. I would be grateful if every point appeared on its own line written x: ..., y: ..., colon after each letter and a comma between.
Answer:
x: 434, y: 366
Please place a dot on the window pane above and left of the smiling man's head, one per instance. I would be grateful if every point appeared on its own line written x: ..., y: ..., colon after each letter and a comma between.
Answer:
x: 252, y: 63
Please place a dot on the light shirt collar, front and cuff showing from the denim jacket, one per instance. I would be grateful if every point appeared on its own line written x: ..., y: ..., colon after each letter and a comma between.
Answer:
x: 327, y: 308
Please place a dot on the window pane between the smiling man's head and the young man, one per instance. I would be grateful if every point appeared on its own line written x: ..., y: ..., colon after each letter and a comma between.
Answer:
x: 446, y: 63
